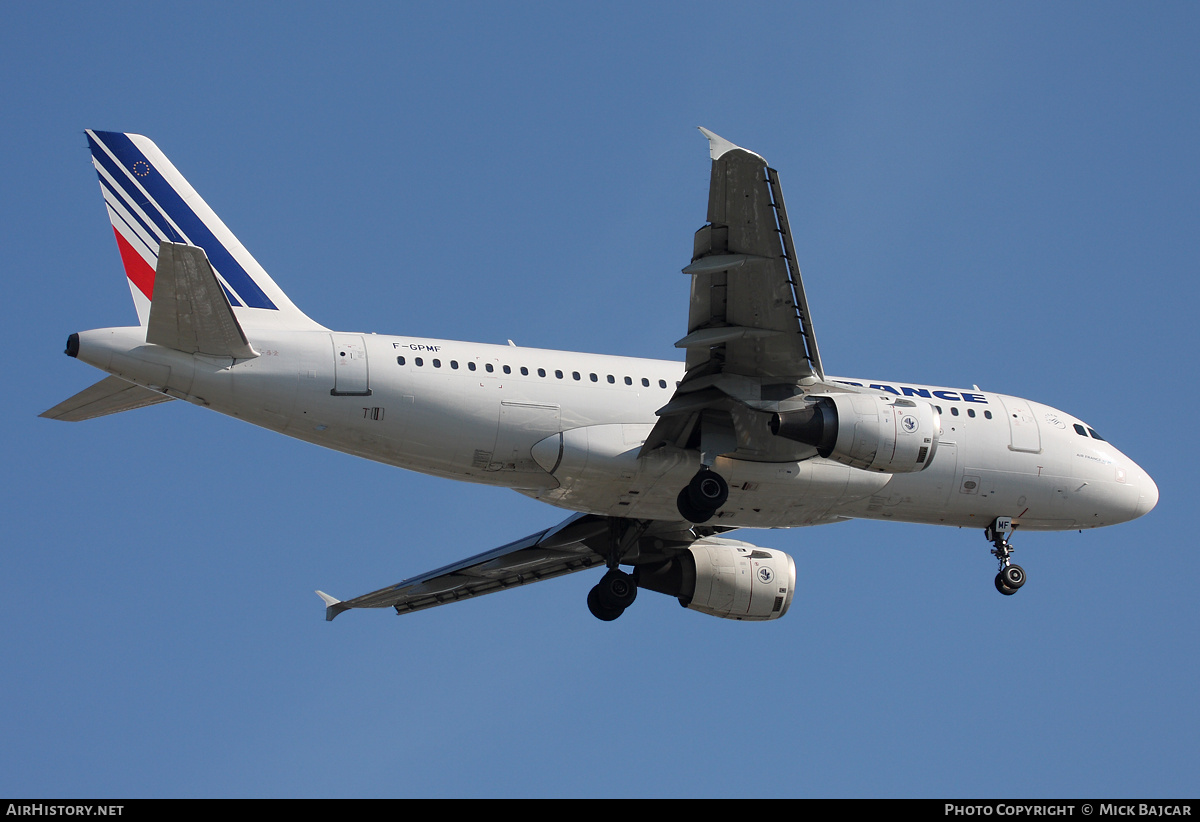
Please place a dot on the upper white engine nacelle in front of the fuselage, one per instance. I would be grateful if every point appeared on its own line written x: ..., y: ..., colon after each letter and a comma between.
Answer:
x: 895, y: 436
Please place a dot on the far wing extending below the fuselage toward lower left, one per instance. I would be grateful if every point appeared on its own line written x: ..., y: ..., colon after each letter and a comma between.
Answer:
x: 583, y: 542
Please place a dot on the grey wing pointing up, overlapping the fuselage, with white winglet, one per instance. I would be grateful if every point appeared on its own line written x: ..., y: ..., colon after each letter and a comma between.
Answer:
x: 751, y: 337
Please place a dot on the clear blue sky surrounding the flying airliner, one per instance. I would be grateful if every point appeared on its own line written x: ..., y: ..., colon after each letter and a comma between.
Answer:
x: 993, y: 194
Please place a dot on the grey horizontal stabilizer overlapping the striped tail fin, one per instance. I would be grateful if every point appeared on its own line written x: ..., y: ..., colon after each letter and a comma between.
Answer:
x: 190, y: 311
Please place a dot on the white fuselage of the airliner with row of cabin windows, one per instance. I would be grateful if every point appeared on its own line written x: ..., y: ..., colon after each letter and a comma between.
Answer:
x: 568, y: 428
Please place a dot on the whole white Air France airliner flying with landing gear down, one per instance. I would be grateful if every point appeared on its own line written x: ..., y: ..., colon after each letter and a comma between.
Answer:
x: 657, y: 461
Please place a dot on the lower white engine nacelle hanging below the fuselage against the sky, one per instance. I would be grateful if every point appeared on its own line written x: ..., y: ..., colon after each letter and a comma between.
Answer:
x: 727, y: 579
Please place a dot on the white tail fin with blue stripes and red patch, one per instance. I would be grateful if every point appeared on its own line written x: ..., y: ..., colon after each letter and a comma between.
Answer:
x: 149, y: 202
